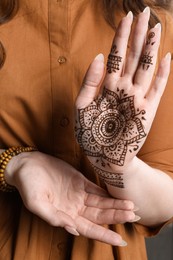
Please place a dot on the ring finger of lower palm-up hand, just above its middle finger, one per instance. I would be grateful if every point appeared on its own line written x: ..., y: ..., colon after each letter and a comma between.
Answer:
x: 96, y: 201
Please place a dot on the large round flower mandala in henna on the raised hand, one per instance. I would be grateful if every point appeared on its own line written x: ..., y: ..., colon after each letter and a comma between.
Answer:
x: 110, y: 127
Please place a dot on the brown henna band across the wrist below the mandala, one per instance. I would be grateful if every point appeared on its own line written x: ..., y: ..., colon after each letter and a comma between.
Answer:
x: 113, y: 179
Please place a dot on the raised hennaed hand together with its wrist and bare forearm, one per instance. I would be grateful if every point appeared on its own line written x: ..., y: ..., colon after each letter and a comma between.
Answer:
x: 112, y: 126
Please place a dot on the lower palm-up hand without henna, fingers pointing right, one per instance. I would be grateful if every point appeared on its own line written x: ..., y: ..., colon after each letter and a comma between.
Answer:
x: 62, y: 196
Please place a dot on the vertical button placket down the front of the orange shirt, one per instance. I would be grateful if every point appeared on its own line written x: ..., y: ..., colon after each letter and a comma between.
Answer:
x: 61, y: 76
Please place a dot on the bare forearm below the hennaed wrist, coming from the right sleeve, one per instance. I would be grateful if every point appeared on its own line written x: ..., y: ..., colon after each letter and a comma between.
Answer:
x: 150, y: 189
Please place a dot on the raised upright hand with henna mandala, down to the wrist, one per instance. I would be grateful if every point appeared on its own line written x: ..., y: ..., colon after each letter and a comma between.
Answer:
x: 113, y: 119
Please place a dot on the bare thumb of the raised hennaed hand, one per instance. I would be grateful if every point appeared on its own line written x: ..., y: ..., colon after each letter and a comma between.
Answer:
x: 91, y: 82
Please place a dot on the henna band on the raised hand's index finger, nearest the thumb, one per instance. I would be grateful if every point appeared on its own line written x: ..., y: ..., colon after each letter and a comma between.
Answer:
x: 114, y: 60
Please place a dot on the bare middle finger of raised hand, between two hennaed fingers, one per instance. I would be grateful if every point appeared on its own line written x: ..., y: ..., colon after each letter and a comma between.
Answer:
x: 137, y: 43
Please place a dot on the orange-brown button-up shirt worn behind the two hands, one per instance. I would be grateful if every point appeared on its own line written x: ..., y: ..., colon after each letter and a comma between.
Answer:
x: 49, y: 45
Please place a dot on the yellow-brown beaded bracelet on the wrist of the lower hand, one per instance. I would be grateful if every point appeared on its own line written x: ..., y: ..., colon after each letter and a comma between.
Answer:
x: 5, y: 157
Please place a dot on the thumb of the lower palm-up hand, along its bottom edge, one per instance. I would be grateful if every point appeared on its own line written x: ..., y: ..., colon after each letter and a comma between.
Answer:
x: 51, y: 214
